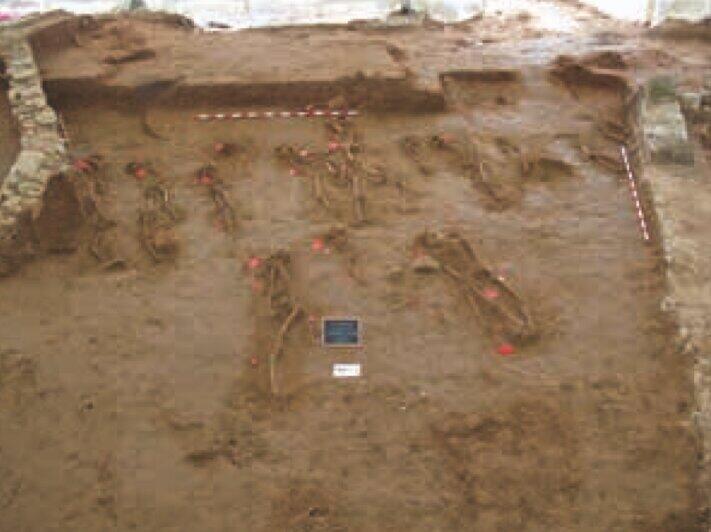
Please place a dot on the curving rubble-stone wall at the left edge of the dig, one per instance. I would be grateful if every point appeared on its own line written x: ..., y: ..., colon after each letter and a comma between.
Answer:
x: 43, y: 152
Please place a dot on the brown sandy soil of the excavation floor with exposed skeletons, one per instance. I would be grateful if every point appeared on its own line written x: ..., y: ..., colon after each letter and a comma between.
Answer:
x: 135, y: 382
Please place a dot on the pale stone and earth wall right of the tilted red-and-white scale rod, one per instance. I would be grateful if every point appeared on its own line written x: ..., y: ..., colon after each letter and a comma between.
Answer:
x: 680, y: 196
